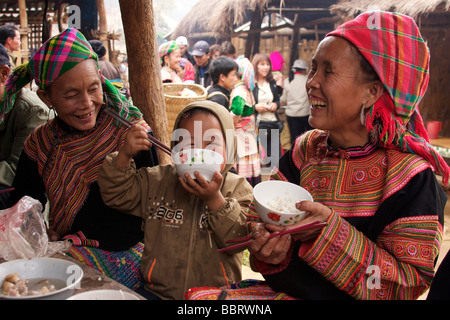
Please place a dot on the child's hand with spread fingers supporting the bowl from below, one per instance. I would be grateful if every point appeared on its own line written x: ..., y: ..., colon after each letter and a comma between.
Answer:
x: 208, y: 191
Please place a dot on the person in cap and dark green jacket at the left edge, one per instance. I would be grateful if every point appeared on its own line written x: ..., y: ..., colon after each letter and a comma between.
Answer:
x: 27, y: 113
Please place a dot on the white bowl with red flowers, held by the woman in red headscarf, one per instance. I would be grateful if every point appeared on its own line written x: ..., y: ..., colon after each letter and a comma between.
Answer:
x: 275, y: 202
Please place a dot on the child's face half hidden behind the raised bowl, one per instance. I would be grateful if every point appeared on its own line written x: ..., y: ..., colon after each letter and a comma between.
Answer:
x: 204, y: 132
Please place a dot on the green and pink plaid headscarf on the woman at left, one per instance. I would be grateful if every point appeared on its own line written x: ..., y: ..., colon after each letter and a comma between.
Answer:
x: 56, y: 56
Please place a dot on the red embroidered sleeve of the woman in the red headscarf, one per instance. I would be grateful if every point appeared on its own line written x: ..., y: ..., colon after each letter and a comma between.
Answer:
x: 398, y: 266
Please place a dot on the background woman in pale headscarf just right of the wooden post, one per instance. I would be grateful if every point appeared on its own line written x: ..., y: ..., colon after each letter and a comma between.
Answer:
x: 170, y: 56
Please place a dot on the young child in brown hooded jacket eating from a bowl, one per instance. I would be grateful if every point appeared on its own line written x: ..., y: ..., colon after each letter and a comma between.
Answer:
x: 186, y: 221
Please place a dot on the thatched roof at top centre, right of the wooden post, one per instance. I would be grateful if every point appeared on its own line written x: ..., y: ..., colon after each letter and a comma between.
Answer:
x: 216, y: 16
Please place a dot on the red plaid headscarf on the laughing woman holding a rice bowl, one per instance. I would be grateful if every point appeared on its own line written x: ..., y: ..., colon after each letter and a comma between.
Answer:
x: 394, y: 47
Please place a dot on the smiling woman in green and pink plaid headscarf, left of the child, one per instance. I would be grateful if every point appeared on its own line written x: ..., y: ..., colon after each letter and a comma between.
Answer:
x: 61, y: 158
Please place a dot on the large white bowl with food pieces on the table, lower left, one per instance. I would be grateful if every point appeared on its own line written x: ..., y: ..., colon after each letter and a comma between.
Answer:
x: 67, y: 276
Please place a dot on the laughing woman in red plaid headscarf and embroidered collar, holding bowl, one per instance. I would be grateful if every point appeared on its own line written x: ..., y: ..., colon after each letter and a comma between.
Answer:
x: 369, y: 167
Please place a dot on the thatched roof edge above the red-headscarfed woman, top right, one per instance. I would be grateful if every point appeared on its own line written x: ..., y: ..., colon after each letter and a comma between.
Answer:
x: 413, y: 8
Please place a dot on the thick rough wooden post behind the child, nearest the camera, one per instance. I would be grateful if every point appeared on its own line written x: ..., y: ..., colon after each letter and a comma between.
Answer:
x: 144, y: 67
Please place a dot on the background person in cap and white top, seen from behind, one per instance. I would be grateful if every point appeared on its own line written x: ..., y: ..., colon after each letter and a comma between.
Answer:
x: 295, y: 99
